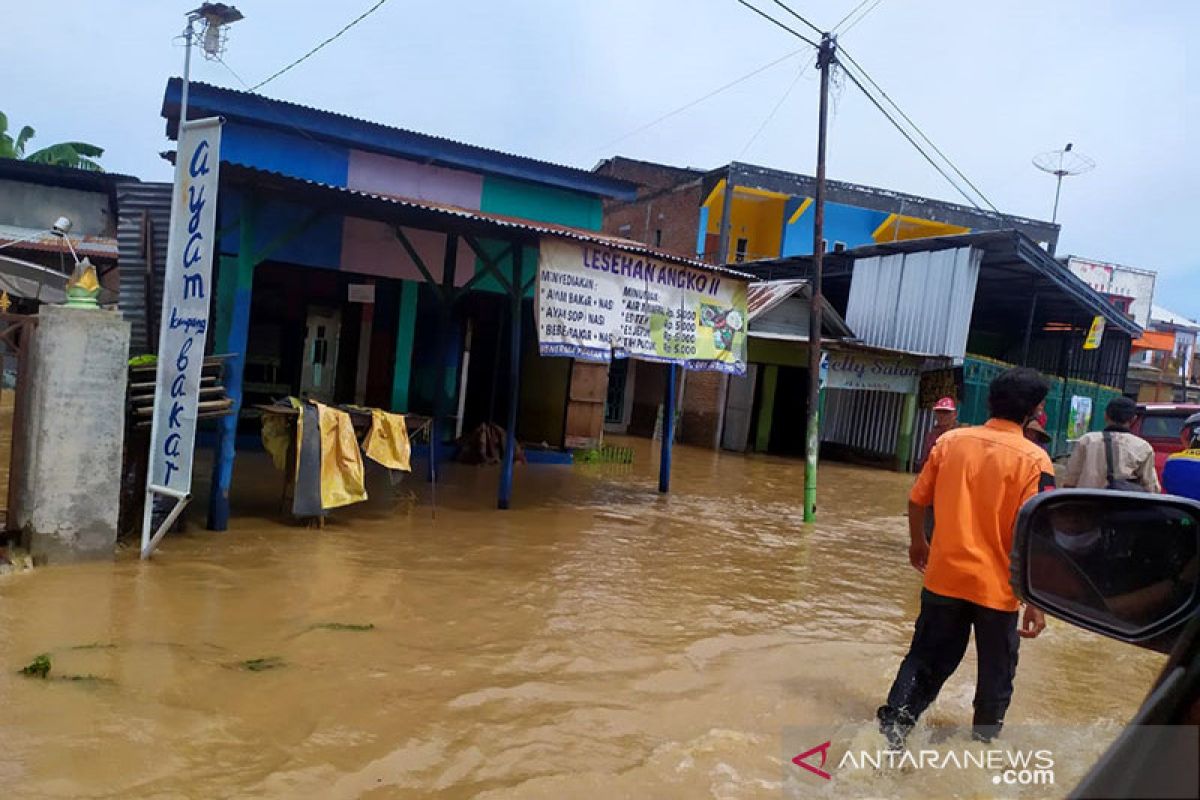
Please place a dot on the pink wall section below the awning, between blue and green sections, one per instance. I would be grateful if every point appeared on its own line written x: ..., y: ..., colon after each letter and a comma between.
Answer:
x: 373, y: 249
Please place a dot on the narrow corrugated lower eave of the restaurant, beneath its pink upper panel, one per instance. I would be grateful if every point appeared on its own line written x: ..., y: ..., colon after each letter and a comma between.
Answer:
x: 494, y: 224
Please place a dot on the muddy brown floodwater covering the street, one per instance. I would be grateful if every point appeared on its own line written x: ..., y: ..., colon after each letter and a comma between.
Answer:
x: 599, y: 641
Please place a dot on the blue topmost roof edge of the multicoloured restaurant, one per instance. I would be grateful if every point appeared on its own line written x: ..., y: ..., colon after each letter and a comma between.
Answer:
x: 383, y: 139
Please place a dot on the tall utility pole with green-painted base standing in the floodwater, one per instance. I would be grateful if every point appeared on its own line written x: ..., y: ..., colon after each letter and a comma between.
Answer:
x: 825, y: 63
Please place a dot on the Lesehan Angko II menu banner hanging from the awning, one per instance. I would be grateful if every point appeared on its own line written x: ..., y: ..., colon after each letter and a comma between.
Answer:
x: 597, y: 304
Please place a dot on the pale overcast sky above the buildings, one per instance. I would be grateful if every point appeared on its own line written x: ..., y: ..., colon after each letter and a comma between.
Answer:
x: 992, y: 83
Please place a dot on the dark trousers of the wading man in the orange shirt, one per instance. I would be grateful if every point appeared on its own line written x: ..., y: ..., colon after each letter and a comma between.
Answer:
x: 939, y: 643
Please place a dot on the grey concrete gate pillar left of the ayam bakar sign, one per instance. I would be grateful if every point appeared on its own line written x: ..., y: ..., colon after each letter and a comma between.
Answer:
x: 69, y: 496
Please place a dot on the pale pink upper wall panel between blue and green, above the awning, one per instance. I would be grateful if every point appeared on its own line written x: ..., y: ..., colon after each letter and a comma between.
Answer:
x: 398, y: 178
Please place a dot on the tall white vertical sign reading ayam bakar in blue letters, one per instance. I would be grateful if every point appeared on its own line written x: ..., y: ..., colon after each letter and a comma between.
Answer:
x: 184, y: 323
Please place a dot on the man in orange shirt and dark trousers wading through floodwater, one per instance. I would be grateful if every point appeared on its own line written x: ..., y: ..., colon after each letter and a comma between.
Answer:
x: 976, y: 480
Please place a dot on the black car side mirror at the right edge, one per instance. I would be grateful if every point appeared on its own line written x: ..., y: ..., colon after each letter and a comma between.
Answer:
x: 1123, y: 564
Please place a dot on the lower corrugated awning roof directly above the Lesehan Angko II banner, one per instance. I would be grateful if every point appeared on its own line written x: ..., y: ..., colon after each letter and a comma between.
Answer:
x: 439, y: 218
